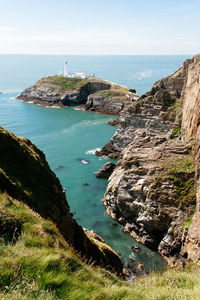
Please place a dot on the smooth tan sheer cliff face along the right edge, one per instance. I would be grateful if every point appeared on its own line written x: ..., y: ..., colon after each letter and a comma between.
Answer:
x: 191, y: 130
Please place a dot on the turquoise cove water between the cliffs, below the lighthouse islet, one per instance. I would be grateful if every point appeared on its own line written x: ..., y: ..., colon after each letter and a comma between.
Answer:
x: 69, y: 138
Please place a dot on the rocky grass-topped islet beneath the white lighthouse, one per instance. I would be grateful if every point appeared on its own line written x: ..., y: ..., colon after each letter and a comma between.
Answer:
x: 91, y: 94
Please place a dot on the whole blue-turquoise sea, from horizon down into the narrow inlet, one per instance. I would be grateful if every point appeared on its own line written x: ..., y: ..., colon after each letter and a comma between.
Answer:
x: 69, y: 137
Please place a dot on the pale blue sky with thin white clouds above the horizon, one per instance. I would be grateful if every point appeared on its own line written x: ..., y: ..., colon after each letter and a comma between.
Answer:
x: 99, y: 27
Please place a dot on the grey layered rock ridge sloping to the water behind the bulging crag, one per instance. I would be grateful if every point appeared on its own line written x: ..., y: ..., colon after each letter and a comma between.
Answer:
x: 153, y: 112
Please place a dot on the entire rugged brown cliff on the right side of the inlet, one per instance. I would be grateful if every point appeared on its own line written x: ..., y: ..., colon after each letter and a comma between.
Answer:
x: 152, y: 190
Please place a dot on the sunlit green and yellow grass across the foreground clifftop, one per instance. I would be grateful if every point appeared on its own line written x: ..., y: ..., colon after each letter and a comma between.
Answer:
x: 41, y: 265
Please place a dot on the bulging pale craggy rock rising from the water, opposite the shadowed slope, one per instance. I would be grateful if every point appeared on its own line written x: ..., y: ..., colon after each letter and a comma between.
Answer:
x: 140, y: 193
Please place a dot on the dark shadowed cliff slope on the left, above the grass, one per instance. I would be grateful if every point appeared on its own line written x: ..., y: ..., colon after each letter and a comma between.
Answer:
x: 25, y: 175
